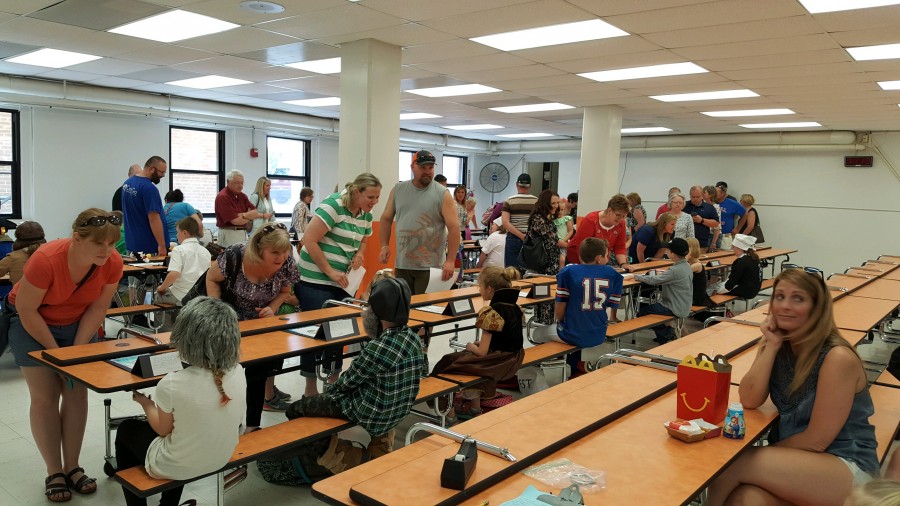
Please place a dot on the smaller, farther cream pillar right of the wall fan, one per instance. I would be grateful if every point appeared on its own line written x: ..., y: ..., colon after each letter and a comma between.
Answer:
x: 600, y: 142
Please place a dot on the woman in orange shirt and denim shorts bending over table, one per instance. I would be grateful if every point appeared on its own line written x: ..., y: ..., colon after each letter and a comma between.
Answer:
x: 61, y: 301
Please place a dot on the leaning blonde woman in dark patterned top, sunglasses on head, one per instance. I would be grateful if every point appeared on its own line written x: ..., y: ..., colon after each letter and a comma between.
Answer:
x: 256, y: 280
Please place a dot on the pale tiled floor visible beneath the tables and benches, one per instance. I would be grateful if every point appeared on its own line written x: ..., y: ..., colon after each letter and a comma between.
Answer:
x: 22, y: 471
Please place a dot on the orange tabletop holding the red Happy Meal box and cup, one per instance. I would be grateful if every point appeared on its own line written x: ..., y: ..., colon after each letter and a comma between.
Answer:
x: 636, y: 450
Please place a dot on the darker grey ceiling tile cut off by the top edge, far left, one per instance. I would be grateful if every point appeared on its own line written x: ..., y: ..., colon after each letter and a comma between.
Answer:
x: 98, y: 14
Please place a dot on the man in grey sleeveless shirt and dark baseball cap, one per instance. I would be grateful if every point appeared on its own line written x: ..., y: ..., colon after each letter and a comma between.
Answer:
x: 427, y: 226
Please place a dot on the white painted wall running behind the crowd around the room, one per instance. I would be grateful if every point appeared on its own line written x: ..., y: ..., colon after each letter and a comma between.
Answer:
x: 806, y: 199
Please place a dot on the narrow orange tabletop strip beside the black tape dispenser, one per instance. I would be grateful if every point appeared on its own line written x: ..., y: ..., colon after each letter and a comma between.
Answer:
x: 598, y: 404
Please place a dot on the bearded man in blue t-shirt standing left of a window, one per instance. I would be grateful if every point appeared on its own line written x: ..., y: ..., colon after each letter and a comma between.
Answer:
x: 142, y: 206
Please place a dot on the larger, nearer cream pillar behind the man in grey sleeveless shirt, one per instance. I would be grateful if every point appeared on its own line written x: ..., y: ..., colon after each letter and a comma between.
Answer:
x: 370, y: 113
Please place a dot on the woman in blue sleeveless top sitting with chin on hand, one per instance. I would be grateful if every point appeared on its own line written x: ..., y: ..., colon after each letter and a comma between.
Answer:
x: 823, y: 443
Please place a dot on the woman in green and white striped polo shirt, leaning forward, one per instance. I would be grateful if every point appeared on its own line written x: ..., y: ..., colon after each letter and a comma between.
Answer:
x: 334, y: 243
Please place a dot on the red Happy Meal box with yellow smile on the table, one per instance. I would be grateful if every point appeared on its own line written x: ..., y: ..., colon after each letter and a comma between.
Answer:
x: 703, y: 385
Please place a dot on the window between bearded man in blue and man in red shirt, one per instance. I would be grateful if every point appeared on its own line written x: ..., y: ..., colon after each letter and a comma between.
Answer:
x: 197, y: 165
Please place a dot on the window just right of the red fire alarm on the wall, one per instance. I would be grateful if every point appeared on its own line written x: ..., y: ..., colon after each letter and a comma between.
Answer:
x: 288, y: 169
